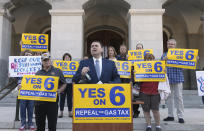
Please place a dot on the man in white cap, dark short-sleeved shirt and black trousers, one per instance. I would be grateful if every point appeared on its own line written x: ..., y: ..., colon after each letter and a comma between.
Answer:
x: 45, y: 109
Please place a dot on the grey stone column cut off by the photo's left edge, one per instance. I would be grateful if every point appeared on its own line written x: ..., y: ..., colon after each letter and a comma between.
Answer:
x: 5, y: 45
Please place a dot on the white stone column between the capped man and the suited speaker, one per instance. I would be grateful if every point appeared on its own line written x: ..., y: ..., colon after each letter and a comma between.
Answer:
x: 67, y: 33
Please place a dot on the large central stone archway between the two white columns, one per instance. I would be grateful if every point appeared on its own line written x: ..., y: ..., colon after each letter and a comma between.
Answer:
x: 107, y: 22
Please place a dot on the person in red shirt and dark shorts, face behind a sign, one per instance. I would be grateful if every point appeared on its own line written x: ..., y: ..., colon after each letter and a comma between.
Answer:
x: 150, y: 95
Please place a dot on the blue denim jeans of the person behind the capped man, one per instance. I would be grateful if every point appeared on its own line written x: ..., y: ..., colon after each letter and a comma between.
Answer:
x: 29, y: 105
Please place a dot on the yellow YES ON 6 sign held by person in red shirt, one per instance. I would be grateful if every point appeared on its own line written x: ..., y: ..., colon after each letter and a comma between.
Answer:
x: 149, y: 71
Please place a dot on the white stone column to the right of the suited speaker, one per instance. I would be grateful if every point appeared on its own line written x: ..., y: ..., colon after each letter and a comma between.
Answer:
x: 145, y: 26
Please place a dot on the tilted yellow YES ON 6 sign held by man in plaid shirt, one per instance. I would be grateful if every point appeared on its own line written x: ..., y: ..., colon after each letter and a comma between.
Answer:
x: 182, y: 58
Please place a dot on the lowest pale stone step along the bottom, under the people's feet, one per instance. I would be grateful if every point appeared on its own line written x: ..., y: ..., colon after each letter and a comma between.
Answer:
x: 193, y: 121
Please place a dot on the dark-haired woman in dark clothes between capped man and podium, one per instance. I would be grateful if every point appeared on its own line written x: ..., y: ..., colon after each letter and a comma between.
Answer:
x: 67, y: 92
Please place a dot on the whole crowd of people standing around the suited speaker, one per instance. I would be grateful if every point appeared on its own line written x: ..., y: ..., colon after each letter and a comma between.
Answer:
x: 103, y: 70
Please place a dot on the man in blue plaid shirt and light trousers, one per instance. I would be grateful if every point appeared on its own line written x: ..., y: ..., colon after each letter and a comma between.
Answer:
x: 176, y: 79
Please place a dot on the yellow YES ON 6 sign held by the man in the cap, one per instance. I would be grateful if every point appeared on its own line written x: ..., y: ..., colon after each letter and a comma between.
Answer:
x: 40, y: 88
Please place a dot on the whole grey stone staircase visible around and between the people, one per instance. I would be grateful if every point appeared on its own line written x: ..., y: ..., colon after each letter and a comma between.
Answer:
x: 192, y: 102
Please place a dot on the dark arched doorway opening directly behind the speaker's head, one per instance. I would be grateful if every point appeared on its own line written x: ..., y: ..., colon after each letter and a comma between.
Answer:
x: 107, y: 37
